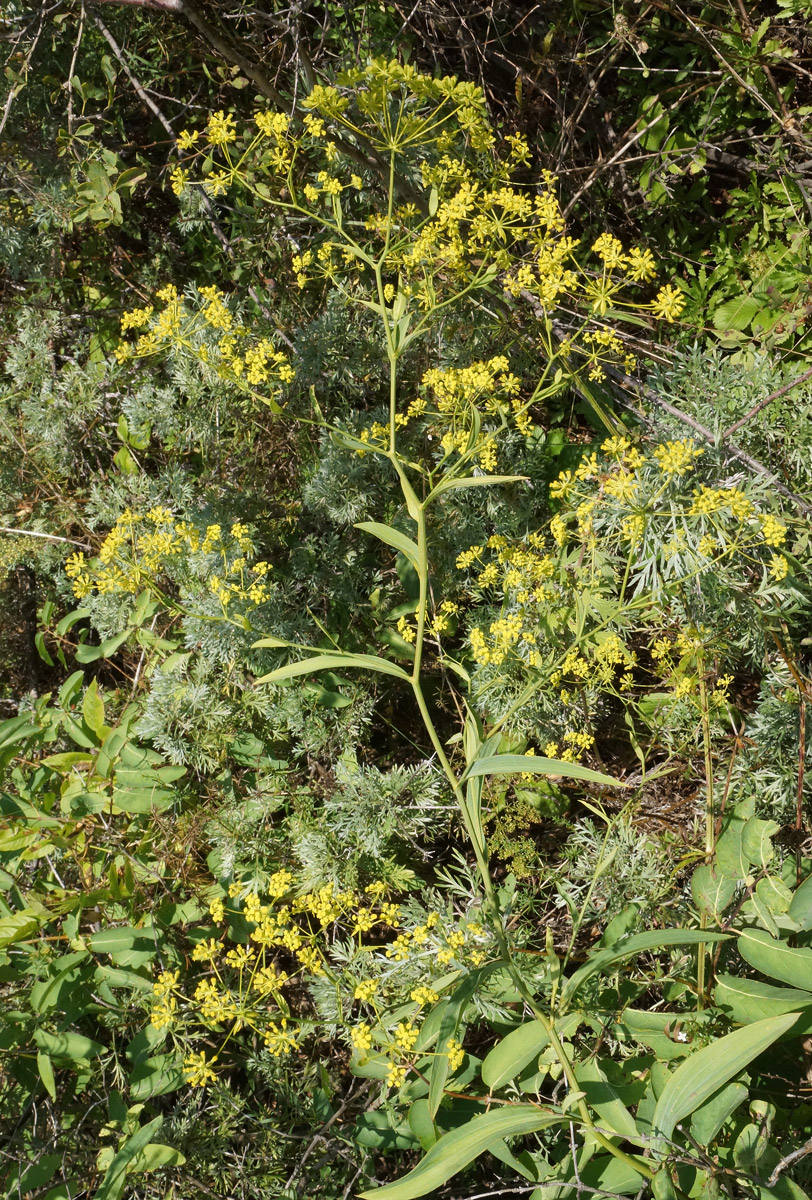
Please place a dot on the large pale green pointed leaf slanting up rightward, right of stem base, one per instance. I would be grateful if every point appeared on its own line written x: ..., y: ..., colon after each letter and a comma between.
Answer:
x: 705, y: 1072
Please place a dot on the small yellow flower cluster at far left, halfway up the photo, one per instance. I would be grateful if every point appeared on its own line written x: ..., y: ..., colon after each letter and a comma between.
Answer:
x: 140, y: 551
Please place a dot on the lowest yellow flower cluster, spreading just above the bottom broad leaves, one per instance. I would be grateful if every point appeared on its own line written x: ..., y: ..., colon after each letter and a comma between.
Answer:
x: 245, y: 987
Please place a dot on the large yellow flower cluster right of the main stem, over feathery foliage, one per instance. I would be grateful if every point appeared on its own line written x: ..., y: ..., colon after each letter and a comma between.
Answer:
x: 609, y: 502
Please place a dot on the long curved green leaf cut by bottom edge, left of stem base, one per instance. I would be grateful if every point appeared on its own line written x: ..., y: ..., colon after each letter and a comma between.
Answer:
x: 460, y: 1148
